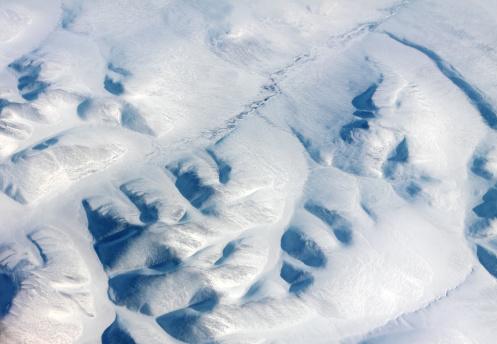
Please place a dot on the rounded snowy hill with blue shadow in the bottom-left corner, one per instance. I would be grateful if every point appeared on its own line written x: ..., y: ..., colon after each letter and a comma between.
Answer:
x: 50, y: 297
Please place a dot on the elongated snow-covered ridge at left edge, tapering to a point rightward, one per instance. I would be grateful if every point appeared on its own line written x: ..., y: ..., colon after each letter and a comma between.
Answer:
x: 52, y: 165
